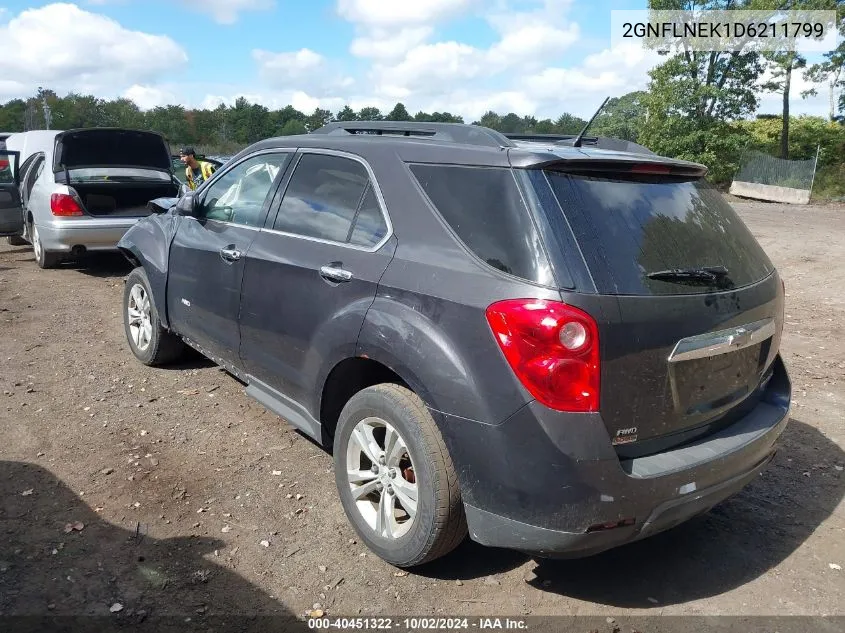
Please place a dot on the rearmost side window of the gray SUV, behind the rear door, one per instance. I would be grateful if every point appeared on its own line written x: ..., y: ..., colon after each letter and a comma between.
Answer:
x: 484, y: 208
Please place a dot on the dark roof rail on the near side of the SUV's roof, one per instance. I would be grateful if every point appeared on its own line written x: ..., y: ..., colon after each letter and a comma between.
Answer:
x: 447, y: 132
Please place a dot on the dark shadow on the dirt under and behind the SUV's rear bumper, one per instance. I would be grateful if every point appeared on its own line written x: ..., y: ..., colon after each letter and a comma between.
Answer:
x: 736, y: 542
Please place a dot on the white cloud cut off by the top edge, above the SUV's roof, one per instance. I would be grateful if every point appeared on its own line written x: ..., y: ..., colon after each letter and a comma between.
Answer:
x: 381, y: 13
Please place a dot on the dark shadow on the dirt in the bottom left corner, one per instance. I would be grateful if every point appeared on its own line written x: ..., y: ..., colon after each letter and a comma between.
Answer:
x: 52, y: 579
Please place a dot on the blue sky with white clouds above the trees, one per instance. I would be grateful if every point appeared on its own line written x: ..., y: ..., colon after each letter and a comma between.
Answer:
x: 541, y: 57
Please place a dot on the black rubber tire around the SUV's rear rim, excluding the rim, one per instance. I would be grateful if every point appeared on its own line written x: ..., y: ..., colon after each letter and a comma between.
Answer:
x: 440, y: 523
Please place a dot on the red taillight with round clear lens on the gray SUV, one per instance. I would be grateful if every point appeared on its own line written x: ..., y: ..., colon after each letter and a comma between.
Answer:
x: 553, y: 348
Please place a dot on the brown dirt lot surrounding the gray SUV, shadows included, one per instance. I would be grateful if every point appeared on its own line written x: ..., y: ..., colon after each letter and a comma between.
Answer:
x: 195, y: 500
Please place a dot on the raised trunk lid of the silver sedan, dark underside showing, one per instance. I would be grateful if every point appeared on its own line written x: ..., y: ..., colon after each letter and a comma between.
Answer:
x: 110, y: 147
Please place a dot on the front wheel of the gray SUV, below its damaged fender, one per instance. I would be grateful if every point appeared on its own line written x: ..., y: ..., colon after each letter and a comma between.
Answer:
x: 151, y: 343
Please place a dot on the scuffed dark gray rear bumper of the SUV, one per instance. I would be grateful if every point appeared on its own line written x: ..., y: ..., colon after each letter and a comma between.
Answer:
x: 542, y: 481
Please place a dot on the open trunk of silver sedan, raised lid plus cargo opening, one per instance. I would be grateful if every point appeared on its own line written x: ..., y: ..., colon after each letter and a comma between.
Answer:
x: 114, y: 172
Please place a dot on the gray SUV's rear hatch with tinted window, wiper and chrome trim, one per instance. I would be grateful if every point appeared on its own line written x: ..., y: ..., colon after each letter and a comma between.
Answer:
x: 700, y: 308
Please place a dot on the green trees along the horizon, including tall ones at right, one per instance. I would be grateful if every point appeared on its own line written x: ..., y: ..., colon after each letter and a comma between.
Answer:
x: 698, y: 106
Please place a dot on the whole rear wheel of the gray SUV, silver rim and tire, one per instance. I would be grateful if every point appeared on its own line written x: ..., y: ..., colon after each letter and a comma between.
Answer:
x: 396, y: 480
